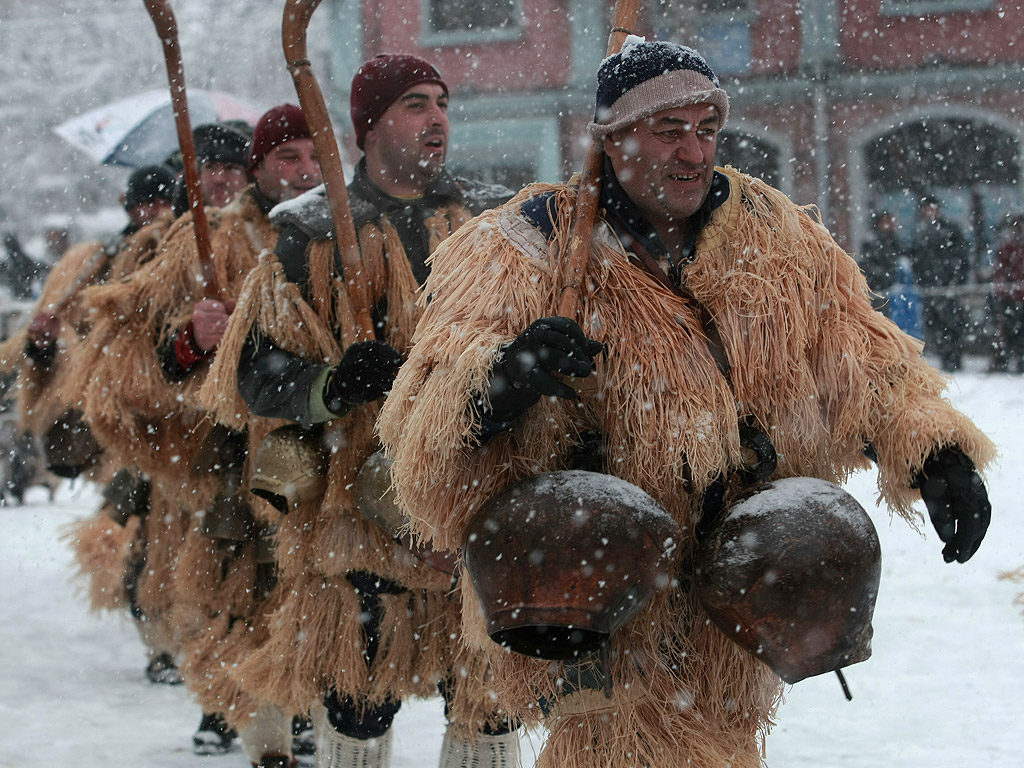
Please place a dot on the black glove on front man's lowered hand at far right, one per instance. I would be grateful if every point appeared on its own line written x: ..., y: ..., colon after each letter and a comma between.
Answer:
x: 957, y: 501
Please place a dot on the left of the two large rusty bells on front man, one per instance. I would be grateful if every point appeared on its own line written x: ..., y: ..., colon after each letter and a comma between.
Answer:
x: 561, y: 561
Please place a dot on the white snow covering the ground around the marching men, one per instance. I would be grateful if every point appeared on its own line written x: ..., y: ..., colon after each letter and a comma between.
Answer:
x: 942, y: 691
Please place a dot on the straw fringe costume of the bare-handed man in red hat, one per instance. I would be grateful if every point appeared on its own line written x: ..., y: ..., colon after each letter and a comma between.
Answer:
x: 154, y: 419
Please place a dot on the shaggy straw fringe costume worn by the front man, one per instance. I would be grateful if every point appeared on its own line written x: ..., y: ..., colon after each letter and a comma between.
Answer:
x: 813, y: 364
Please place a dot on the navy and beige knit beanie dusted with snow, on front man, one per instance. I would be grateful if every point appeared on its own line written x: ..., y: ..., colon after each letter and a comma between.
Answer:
x: 646, y: 78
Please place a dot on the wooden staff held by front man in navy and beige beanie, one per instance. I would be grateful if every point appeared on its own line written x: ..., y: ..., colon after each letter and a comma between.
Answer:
x: 585, y: 215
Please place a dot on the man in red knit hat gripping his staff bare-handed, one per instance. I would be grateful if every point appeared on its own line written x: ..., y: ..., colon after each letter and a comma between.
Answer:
x: 159, y: 330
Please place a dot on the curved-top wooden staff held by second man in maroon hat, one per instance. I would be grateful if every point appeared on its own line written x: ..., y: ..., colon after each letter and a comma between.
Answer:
x: 297, y: 15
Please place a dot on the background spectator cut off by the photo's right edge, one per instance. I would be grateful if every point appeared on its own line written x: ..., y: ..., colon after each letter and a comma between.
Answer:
x: 1009, y: 298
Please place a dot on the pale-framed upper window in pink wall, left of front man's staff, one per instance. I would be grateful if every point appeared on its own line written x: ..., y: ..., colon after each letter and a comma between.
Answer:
x: 456, y: 22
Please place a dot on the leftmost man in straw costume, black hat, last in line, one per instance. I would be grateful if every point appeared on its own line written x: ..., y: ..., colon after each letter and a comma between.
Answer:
x: 48, y: 354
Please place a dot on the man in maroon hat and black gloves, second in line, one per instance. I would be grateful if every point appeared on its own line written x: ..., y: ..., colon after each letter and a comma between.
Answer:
x: 364, y: 623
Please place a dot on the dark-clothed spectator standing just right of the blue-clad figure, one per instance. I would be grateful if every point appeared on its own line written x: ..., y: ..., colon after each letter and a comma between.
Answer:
x: 942, y: 262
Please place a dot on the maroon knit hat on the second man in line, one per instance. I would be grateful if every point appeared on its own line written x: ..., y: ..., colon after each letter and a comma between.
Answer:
x: 380, y: 81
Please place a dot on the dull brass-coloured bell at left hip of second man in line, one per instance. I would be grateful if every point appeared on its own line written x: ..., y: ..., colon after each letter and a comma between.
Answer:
x: 289, y: 468
